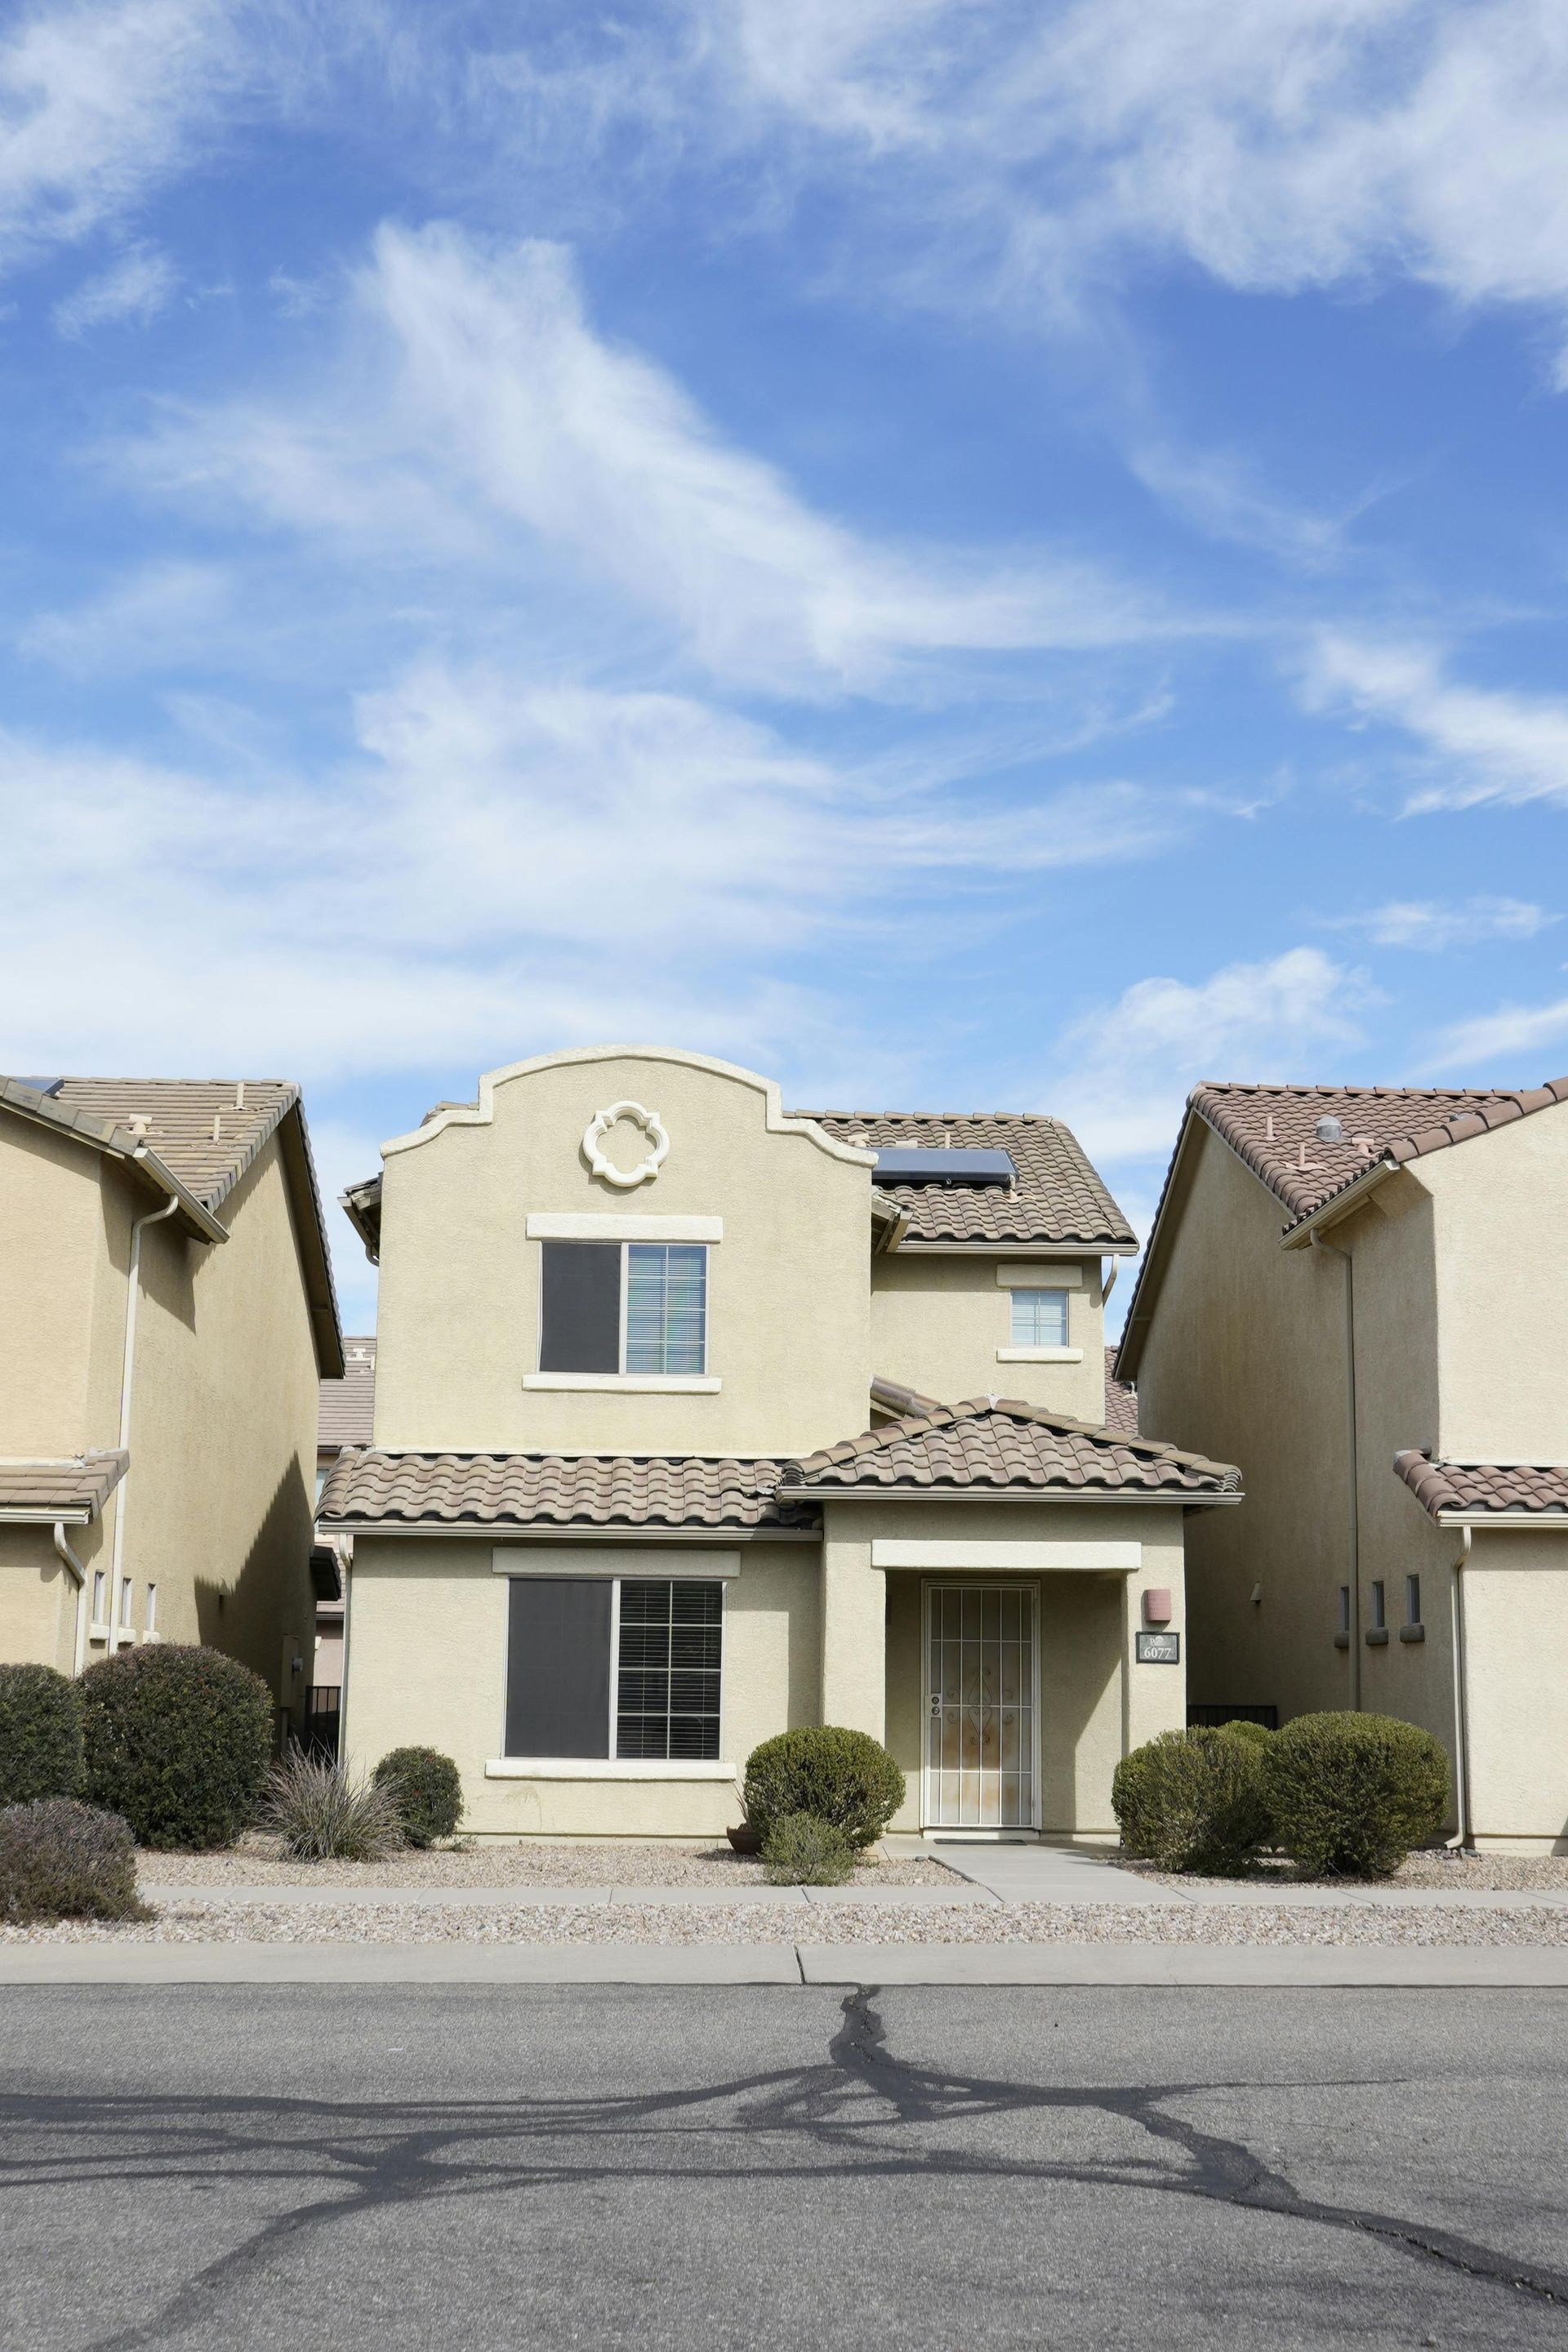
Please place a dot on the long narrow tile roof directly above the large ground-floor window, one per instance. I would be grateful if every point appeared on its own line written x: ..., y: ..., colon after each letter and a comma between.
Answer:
x: 554, y: 1490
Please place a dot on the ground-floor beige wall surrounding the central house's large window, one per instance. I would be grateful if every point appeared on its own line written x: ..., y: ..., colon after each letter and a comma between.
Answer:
x: 427, y: 1664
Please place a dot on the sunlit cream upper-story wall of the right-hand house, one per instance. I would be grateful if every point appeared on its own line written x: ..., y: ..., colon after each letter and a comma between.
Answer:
x: 1503, y: 1292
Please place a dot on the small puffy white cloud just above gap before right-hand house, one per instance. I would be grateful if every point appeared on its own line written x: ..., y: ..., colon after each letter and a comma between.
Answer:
x: 1125, y: 1069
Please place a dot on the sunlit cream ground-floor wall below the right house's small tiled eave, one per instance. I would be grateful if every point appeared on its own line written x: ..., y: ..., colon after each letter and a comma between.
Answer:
x: 1517, y: 1692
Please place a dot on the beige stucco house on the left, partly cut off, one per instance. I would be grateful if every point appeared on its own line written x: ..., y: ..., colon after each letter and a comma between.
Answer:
x: 168, y: 1309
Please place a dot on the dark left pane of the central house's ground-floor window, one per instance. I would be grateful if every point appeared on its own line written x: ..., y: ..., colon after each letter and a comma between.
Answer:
x: 558, y: 1666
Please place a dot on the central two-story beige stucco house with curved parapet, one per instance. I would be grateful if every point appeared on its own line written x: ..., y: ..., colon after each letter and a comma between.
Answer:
x: 659, y: 1466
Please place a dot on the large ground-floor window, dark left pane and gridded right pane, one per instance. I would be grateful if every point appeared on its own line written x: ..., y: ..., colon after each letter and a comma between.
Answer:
x: 615, y: 1666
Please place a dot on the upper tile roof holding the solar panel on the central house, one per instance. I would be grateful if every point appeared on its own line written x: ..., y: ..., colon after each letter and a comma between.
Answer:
x: 1057, y: 1198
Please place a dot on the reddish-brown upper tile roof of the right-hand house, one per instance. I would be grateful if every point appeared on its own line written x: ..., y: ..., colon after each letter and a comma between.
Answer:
x: 1273, y: 1128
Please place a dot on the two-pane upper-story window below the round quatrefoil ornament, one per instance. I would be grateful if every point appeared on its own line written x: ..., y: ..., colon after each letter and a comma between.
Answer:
x: 624, y: 1309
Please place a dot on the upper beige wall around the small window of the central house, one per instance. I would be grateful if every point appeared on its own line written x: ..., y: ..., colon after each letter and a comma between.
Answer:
x: 939, y: 1325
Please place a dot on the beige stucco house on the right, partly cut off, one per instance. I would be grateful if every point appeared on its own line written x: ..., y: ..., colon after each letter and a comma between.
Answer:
x: 1360, y: 1295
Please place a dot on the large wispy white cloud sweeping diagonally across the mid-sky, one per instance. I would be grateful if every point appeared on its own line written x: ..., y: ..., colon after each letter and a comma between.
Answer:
x: 478, y: 406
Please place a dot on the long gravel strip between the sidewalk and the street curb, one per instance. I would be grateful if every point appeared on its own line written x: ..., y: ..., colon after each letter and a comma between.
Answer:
x: 192, y: 1920
